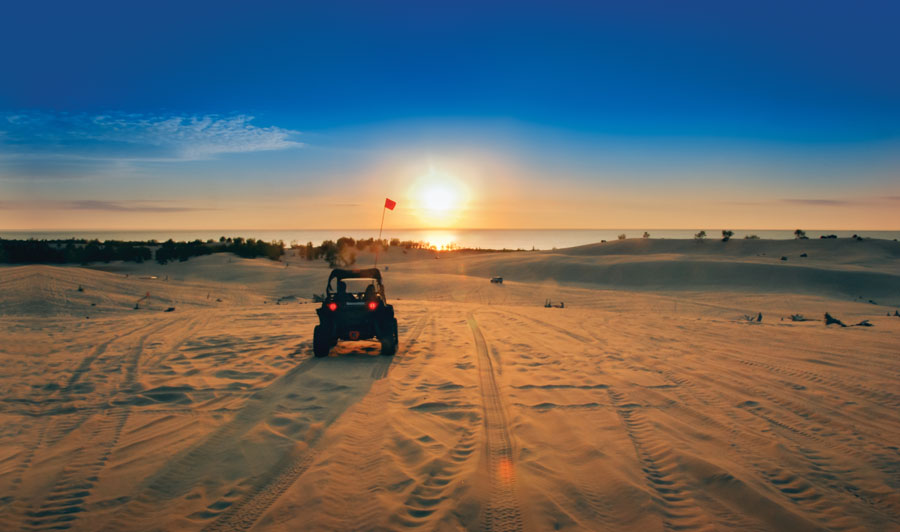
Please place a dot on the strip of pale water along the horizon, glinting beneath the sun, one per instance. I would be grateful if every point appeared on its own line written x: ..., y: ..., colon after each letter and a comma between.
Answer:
x: 469, y: 238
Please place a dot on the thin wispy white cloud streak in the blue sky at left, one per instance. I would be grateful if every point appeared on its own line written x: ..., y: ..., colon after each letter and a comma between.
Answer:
x: 126, y: 136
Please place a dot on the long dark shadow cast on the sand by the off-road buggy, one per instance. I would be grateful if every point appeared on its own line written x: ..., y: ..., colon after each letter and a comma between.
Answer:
x: 266, y: 444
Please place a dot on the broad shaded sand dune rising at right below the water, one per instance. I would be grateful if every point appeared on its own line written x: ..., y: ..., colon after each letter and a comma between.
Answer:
x: 841, y: 268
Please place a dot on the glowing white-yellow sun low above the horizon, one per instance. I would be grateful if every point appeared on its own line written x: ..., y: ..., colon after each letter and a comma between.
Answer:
x: 439, y: 197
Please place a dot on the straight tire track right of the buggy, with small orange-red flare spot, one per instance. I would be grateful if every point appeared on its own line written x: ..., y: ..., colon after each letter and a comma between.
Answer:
x: 502, y: 511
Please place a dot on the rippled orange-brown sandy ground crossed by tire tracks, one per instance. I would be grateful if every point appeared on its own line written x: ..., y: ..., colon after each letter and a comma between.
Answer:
x: 659, y: 407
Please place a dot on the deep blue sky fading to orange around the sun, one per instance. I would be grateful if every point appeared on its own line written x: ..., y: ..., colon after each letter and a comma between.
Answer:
x: 221, y: 112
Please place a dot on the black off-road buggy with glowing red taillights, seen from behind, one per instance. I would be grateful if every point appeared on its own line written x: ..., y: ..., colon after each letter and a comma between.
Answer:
x: 355, y: 308
